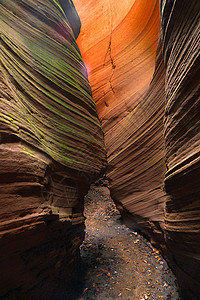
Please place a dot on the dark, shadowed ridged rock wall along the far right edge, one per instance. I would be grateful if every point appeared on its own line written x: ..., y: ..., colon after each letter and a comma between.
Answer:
x: 181, y: 50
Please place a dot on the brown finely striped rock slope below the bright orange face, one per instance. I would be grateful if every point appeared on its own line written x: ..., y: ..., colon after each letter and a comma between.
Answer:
x: 137, y: 187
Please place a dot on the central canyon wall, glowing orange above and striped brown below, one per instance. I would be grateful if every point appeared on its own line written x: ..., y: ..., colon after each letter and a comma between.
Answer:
x: 118, y: 44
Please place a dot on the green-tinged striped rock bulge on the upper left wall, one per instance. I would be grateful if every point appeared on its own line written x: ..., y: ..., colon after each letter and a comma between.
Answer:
x: 41, y: 62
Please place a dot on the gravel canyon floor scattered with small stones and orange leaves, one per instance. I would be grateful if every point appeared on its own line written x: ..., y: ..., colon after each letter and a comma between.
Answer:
x: 117, y: 262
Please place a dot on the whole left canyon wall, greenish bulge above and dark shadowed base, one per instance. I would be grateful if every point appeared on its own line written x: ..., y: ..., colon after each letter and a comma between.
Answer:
x: 51, y: 147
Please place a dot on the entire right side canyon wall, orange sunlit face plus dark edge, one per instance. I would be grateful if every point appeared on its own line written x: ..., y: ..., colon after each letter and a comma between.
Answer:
x: 153, y: 165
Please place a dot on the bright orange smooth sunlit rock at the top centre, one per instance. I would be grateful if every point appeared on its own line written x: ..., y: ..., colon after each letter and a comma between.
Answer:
x: 108, y: 58
